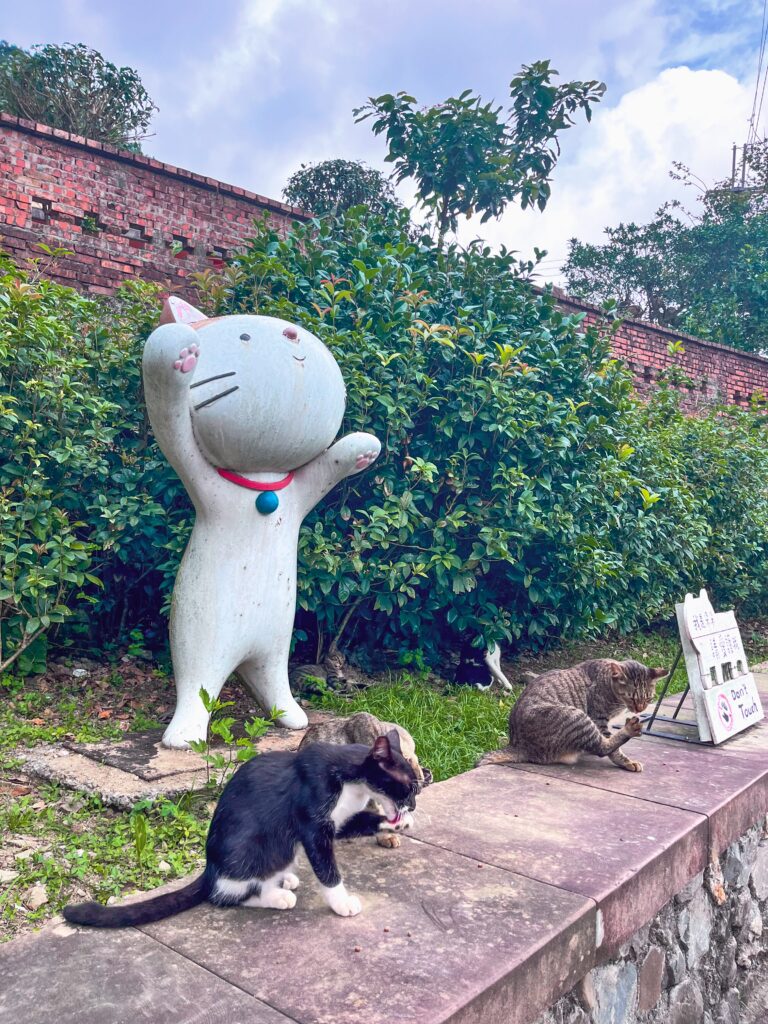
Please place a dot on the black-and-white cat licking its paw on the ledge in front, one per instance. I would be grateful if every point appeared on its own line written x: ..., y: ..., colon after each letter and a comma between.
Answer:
x: 273, y: 805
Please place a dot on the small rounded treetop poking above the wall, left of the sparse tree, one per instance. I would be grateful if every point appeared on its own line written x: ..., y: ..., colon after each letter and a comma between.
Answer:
x: 335, y: 186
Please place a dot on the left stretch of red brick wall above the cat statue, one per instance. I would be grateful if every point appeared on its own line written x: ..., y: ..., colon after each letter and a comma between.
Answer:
x: 57, y: 188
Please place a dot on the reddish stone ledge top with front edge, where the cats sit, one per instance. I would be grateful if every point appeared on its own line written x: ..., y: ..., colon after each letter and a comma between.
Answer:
x: 518, y: 882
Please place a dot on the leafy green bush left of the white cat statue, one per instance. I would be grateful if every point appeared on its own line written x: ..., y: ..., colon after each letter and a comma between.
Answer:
x: 78, y: 474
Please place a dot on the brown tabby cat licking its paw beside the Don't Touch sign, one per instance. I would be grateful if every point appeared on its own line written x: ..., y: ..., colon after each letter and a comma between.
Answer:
x: 566, y: 712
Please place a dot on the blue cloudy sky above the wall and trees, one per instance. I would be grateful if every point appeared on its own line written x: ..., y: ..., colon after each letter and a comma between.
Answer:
x: 248, y: 91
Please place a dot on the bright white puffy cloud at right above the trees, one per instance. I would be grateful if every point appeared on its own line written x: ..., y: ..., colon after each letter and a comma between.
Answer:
x: 620, y: 172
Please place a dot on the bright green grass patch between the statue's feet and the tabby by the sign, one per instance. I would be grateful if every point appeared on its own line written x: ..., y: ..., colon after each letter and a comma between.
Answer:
x: 452, y: 729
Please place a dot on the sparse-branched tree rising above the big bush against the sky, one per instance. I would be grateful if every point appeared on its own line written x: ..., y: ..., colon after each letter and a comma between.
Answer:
x: 468, y: 157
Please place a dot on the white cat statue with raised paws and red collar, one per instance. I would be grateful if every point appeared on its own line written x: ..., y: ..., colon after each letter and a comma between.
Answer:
x: 244, y: 409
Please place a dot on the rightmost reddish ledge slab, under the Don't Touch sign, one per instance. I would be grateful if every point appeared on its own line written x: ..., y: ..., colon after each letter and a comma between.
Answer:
x: 733, y: 792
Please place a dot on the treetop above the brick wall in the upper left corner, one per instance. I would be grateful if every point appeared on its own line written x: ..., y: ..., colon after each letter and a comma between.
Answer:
x: 74, y: 89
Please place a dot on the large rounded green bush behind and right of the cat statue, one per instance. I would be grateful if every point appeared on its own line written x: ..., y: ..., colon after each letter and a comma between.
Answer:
x: 507, y: 503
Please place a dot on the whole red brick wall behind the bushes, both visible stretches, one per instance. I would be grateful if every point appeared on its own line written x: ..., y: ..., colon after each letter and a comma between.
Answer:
x: 58, y: 187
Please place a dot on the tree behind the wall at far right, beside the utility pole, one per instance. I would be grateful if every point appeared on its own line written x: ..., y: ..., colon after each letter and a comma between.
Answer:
x: 708, y: 277
